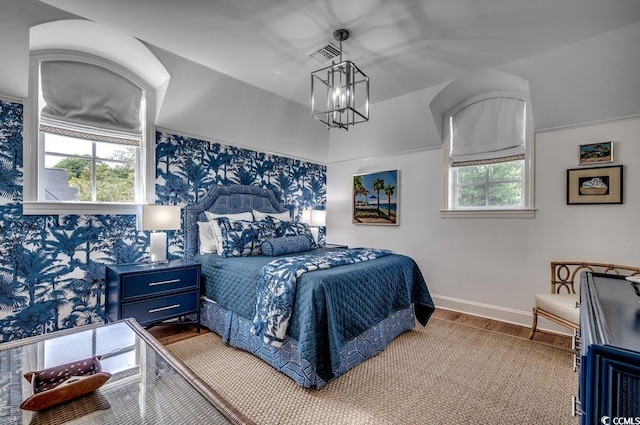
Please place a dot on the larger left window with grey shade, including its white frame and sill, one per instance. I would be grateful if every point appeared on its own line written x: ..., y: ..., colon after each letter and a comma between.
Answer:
x: 90, y: 126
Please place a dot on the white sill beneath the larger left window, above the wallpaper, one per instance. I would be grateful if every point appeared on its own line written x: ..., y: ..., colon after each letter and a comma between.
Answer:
x: 77, y: 208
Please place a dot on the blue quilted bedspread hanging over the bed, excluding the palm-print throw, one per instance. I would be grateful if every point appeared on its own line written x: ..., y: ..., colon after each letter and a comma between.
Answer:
x: 332, y: 305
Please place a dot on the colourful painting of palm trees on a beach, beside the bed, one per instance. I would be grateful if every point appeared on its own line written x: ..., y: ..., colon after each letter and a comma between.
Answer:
x: 375, y: 198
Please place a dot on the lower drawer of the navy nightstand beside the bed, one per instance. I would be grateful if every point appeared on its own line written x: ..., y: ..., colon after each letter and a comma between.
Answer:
x: 161, y: 308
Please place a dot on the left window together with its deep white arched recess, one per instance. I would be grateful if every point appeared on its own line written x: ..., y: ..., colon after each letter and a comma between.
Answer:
x: 93, y: 97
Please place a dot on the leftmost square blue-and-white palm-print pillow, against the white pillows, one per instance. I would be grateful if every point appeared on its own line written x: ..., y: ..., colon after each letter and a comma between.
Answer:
x: 243, y: 238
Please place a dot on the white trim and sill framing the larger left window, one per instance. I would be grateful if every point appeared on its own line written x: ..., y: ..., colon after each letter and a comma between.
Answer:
x: 33, y: 162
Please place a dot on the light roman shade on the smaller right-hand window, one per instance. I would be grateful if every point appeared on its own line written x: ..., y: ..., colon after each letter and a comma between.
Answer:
x: 488, y: 131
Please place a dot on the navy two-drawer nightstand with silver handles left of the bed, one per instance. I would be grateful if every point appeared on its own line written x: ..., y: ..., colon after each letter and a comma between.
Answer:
x: 153, y: 293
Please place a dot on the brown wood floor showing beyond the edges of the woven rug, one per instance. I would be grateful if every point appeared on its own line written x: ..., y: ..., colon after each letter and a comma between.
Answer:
x: 168, y: 334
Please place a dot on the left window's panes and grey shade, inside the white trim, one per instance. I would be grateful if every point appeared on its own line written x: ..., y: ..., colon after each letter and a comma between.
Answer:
x: 90, y: 133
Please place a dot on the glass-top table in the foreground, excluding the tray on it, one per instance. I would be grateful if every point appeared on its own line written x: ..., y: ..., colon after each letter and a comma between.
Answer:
x: 147, y: 384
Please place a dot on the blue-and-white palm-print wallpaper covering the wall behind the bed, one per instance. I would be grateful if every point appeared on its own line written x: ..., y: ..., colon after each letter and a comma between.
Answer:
x: 52, y: 267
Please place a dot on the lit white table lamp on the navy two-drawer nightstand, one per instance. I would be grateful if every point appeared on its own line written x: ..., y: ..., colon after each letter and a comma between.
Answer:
x: 157, y: 218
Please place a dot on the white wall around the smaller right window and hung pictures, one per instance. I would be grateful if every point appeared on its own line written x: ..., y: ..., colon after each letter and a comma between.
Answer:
x: 494, y: 267
